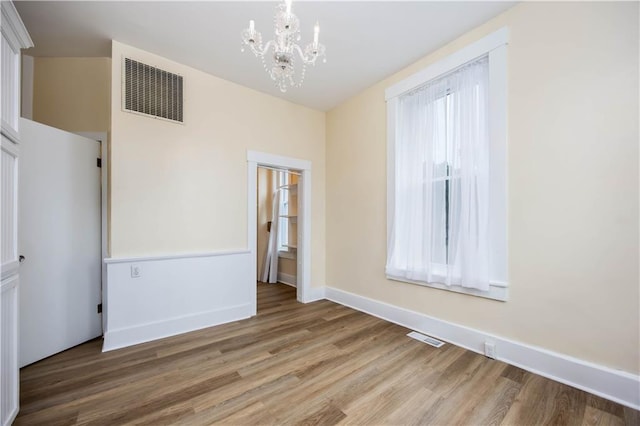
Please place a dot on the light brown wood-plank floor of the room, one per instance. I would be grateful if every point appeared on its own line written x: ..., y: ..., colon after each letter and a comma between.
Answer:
x: 320, y: 363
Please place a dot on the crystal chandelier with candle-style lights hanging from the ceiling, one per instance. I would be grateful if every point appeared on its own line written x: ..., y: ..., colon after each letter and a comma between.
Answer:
x: 279, y: 55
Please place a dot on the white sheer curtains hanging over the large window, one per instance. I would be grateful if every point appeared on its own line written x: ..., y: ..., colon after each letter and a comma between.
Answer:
x: 440, y: 231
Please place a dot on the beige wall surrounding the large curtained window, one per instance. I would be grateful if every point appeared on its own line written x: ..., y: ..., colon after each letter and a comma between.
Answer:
x: 573, y: 187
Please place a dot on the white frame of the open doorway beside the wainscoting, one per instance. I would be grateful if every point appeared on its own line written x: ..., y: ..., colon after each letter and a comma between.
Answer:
x: 303, y: 258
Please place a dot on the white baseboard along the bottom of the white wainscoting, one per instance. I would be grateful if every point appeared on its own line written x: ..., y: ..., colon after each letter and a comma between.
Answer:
x: 116, y: 339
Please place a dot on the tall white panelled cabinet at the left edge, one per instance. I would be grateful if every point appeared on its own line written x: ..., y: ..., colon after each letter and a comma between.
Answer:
x: 14, y: 38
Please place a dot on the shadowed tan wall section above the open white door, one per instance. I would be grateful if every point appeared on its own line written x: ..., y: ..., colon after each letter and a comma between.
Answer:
x: 72, y: 94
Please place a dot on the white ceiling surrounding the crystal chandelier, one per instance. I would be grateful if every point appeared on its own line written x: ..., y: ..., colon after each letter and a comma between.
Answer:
x: 366, y: 40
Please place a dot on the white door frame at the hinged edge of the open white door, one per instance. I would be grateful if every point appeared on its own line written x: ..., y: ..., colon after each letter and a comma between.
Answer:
x: 104, y: 192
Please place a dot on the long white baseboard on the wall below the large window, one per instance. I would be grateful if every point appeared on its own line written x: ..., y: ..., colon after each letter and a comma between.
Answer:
x: 618, y: 386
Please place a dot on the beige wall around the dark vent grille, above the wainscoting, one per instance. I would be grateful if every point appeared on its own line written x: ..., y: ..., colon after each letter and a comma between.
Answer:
x: 183, y: 188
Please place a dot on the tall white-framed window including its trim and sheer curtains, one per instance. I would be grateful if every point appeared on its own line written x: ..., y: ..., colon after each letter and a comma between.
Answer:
x: 447, y: 174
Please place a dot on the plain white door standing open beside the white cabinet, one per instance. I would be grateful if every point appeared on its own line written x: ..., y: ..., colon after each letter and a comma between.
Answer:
x: 59, y: 237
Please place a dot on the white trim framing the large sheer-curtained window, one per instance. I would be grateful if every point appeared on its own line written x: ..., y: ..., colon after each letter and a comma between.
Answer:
x: 495, y: 45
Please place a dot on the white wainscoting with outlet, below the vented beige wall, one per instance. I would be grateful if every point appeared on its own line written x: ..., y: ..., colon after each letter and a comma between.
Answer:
x: 174, y: 294
